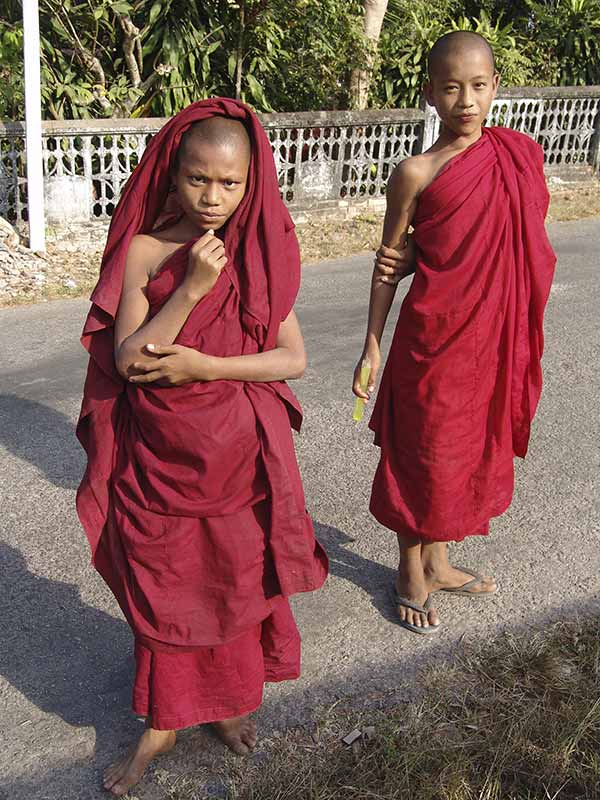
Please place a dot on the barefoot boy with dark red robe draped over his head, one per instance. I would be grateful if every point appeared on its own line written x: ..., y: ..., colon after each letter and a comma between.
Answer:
x: 192, y: 499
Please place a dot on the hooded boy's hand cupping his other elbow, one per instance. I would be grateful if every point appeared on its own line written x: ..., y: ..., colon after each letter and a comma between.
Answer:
x: 173, y: 365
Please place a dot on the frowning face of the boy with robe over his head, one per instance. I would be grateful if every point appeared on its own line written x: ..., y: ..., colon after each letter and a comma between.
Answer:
x: 210, y: 181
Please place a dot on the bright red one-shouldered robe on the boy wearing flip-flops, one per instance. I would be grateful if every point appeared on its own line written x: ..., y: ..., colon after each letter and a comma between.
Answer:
x: 463, y: 376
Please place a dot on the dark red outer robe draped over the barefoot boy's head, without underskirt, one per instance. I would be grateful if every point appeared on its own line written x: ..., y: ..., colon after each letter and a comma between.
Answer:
x: 175, y: 474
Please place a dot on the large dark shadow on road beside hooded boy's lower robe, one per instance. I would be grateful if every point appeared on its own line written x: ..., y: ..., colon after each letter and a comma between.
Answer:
x: 66, y: 657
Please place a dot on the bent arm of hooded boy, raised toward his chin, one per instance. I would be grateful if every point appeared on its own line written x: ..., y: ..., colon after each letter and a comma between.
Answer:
x: 133, y: 327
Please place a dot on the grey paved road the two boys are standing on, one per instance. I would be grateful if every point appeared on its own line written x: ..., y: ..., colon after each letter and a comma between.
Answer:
x: 65, y: 662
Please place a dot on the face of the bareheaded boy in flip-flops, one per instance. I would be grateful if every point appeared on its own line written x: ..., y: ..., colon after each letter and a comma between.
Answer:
x: 462, y: 88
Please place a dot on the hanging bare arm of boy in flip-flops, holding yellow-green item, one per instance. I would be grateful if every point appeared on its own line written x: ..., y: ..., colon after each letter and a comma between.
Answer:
x: 402, y: 192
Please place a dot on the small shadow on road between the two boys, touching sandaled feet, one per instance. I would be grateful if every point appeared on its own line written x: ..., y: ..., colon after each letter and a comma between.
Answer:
x: 373, y: 578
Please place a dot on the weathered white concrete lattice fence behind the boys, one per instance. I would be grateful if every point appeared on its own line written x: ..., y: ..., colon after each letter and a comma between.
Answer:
x: 324, y: 159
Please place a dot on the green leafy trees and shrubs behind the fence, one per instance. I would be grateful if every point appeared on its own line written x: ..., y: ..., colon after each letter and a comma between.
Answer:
x: 152, y: 57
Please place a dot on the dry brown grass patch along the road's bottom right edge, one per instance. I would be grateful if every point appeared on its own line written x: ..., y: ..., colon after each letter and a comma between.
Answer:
x: 518, y: 721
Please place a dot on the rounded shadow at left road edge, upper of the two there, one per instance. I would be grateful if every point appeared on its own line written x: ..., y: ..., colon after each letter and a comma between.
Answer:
x: 43, y: 437
